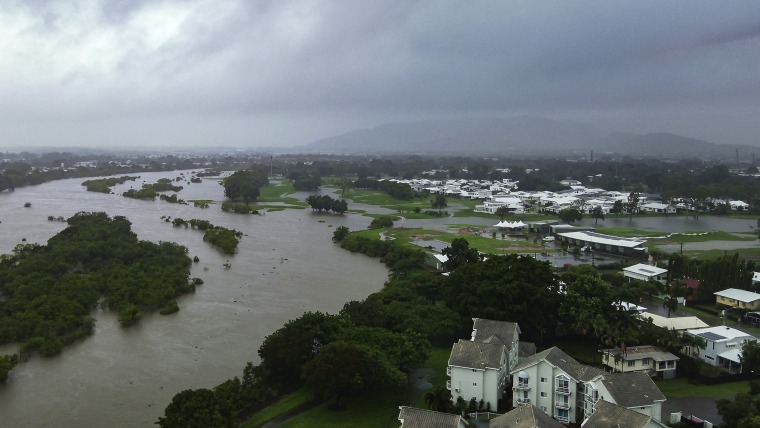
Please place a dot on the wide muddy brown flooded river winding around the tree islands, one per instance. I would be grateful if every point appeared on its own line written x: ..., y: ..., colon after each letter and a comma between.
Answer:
x: 125, y: 377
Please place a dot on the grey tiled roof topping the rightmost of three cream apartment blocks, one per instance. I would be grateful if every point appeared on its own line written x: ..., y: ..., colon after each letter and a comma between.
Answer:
x: 632, y: 389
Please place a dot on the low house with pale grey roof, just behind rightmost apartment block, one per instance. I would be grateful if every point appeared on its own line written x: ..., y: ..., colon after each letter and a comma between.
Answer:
x: 648, y: 359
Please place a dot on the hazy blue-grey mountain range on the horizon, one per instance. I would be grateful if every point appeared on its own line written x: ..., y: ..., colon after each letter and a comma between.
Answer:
x: 523, y: 135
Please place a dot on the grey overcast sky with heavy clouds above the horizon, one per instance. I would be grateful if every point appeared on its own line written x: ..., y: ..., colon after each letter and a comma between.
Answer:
x: 283, y: 73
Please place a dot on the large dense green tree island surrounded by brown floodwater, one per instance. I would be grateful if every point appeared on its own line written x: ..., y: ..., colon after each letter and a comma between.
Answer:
x: 47, y: 292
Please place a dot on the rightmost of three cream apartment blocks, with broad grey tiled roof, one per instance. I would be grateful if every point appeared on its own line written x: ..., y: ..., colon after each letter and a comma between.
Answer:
x: 635, y: 391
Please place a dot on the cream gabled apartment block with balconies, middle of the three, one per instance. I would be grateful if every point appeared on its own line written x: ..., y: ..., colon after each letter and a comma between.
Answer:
x: 552, y: 381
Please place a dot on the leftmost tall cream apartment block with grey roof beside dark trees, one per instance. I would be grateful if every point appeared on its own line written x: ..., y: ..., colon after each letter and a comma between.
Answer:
x: 479, y: 368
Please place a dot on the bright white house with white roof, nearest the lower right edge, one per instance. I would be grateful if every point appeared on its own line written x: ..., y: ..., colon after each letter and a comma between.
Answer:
x: 723, y: 345
